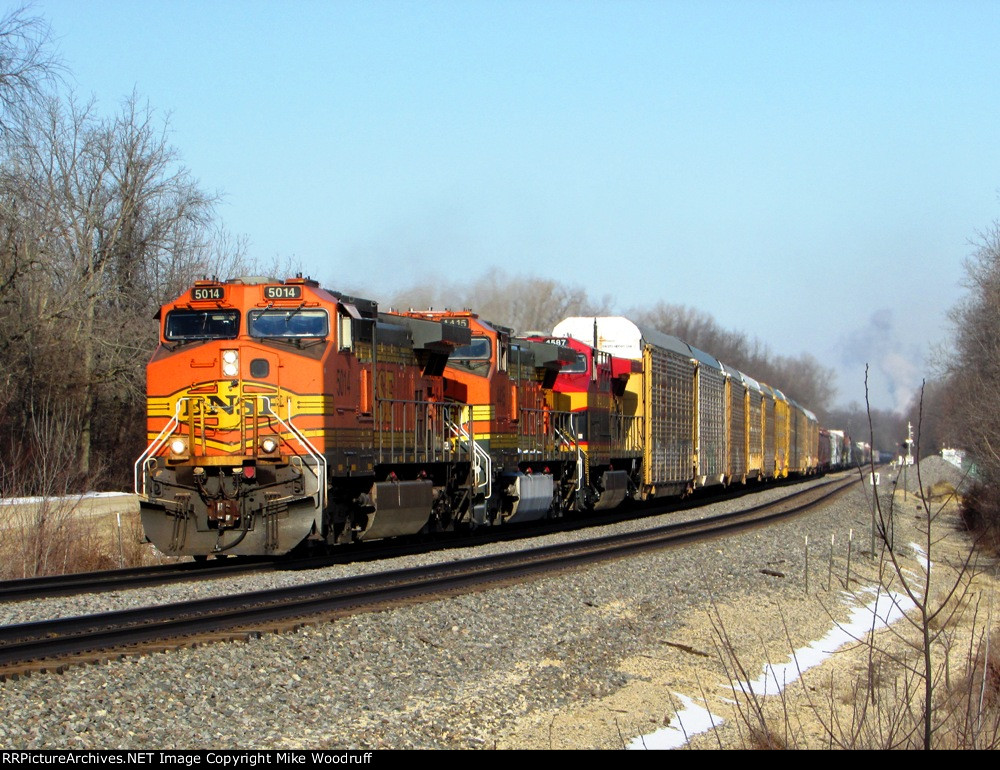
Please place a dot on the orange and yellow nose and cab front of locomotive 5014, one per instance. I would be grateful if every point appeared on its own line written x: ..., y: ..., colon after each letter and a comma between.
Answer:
x: 224, y: 404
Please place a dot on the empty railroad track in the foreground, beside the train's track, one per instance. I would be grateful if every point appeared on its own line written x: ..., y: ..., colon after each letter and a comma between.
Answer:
x: 56, y: 644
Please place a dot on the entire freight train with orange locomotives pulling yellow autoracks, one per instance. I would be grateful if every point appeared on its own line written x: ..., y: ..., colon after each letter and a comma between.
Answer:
x: 281, y: 413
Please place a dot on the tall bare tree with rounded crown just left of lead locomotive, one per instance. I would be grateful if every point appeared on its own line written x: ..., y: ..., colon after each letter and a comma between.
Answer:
x: 102, y: 223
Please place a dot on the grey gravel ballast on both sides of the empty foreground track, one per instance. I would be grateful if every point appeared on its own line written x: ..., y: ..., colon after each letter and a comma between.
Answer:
x: 506, y: 667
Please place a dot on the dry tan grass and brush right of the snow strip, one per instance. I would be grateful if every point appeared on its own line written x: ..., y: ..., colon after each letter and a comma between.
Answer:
x: 931, y: 680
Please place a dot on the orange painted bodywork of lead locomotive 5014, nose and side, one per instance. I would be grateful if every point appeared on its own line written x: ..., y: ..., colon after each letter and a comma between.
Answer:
x: 323, y: 384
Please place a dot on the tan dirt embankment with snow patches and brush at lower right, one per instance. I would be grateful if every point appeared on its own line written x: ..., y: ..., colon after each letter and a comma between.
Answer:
x: 864, y: 690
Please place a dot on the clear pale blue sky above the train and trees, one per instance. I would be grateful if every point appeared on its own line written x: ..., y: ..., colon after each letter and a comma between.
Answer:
x: 809, y: 172
